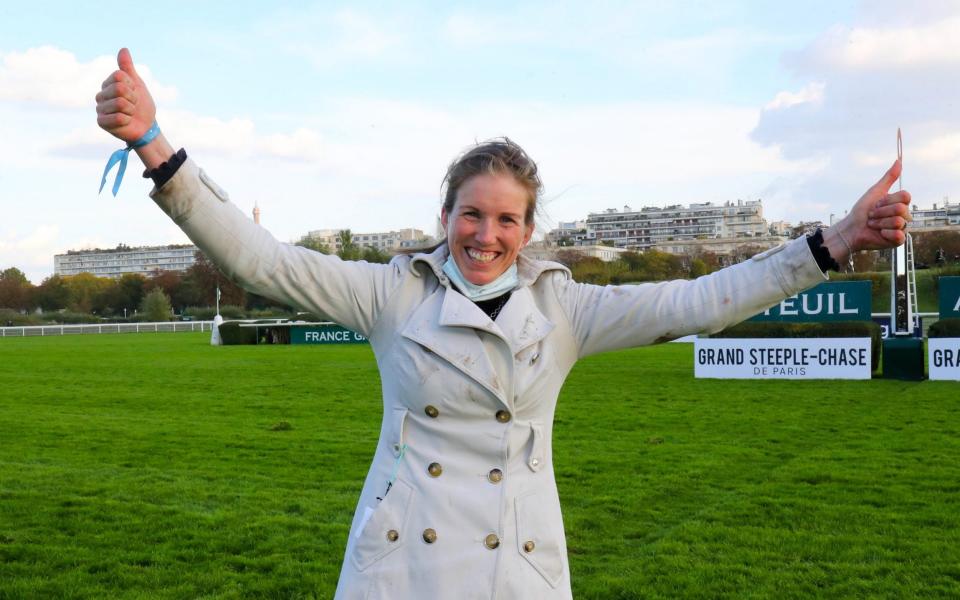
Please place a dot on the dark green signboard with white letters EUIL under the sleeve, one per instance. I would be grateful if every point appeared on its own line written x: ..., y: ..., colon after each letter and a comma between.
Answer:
x: 830, y: 301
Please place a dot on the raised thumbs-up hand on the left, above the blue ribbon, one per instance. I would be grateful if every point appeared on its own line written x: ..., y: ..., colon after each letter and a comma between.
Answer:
x: 125, y: 108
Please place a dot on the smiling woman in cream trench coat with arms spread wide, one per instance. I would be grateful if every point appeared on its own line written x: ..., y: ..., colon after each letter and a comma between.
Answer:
x: 473, y: 342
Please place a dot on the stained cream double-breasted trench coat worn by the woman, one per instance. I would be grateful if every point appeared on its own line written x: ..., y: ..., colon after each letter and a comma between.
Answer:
x: 472, y: 509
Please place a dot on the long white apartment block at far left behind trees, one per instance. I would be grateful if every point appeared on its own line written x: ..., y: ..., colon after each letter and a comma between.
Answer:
x: 122, y: 259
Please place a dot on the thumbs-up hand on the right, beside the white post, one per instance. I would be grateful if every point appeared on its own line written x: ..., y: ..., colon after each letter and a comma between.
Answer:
x: 877, y: 221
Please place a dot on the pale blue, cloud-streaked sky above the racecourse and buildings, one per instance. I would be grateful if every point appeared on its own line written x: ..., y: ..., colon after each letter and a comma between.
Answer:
x: 345, y: 115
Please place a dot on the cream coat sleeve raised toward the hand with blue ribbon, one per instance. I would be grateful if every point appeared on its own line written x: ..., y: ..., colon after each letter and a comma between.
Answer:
x: 351, y: 293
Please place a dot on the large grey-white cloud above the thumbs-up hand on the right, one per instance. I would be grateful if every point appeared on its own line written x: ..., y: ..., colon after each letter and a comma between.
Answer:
x: 865, y: 81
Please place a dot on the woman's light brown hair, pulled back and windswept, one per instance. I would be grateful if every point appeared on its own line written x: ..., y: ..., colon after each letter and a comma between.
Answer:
x: 498, y: 156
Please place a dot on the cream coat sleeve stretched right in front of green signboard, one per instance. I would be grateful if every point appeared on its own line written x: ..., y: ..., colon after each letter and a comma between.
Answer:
x: 613, y: 317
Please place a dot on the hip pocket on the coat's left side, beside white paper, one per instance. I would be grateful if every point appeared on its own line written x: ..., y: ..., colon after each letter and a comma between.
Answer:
x: 385, y: 530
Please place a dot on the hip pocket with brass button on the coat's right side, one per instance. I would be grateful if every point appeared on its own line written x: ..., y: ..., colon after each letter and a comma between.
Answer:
x: 539, y: 532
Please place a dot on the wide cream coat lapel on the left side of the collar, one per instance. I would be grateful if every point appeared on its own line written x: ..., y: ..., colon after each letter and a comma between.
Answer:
x: 446, y: 324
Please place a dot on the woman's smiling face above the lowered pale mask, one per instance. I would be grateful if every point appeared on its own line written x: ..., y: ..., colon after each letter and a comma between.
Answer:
x: 486, y: 228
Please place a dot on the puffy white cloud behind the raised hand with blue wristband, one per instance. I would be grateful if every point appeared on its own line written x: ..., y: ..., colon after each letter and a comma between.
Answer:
x: 53, y: 77
